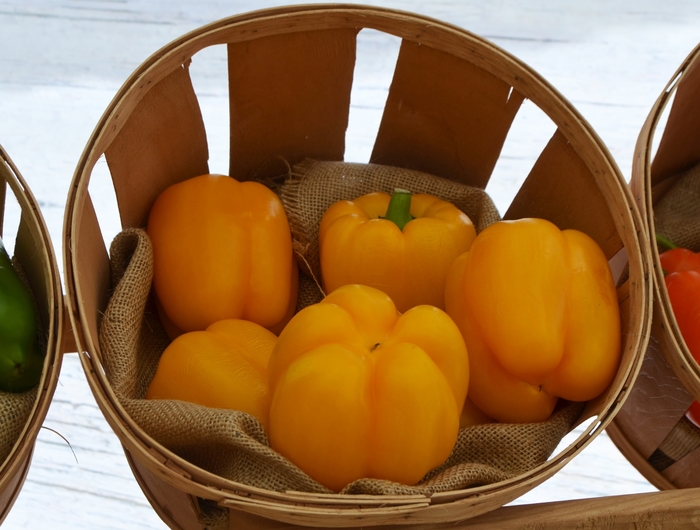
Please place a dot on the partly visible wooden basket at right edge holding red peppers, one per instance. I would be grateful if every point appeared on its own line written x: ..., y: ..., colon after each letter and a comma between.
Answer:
x: 651, y: 429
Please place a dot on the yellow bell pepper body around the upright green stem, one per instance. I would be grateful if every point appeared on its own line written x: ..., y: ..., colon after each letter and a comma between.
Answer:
x: 408, y: 262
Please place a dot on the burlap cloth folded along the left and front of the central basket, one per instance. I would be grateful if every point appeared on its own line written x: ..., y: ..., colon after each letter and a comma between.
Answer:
x: 233, y: 444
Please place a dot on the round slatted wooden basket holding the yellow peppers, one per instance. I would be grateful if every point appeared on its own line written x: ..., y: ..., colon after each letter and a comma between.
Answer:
x: 451, y: 104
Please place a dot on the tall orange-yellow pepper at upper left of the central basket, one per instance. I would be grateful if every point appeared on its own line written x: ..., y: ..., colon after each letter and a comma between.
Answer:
x: 222, y: 249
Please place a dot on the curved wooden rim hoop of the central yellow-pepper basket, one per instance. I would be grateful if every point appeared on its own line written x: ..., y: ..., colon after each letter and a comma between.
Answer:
x: 455, y: 42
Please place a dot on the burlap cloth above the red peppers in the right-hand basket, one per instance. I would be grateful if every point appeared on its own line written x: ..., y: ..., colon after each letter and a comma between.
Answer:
x: 677, y: 213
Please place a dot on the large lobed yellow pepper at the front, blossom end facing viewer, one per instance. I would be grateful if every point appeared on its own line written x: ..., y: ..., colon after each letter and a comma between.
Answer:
x: 359, y: 390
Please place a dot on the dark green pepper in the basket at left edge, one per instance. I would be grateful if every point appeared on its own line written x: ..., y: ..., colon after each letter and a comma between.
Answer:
x: 21, y: 359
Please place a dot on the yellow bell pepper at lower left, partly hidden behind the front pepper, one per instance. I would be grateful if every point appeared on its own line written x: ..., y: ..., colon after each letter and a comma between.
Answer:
x: 223, y: 367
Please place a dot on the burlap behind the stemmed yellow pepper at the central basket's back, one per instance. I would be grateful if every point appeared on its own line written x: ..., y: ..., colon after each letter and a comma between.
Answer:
x: 313, y: 186
